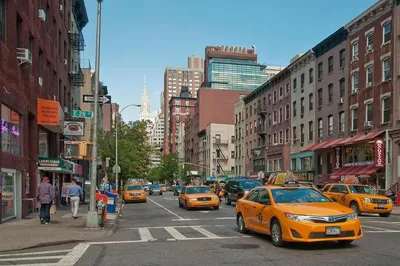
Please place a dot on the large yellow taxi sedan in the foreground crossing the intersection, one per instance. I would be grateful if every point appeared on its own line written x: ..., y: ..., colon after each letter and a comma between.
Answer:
x: 295, y: 213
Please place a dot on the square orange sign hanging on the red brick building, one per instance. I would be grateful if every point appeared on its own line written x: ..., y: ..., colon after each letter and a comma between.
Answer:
x: 48, y: 113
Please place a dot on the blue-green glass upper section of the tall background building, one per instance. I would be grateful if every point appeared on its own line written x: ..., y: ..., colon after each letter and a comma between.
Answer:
x: 235, y: 74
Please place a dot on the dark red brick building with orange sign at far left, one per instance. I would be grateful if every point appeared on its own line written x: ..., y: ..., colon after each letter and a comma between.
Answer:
x: 35, y: 90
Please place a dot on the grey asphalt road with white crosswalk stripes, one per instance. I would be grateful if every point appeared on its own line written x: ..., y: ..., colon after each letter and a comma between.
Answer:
x: 160, y: 233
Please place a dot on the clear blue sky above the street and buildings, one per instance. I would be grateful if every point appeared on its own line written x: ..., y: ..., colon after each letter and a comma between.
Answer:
x: 142, y: 37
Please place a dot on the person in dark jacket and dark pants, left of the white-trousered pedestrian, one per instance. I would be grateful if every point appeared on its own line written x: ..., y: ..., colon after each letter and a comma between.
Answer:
x: 45, y: 195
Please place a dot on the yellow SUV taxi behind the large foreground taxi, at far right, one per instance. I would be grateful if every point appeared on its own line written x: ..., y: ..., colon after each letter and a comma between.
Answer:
x: 361, y: 198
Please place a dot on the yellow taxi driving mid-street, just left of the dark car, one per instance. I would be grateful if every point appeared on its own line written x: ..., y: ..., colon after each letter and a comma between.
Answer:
x: 198, y: 197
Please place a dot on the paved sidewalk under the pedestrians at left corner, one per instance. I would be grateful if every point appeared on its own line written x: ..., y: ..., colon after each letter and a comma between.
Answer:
x: 27, y: 233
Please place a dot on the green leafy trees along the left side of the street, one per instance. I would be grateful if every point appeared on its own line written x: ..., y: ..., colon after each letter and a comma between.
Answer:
x: 133, y: 149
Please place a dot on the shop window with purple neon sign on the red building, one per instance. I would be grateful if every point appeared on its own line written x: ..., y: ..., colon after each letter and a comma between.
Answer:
x: 10, y: 131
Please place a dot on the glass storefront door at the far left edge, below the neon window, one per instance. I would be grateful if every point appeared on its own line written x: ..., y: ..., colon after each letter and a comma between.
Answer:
x: 8, y: 206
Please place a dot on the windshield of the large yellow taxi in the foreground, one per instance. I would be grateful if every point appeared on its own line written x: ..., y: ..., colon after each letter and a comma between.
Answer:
x: 300, y: 195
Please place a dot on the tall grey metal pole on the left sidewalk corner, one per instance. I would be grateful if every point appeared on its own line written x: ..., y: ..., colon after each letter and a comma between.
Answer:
x: 92, y: 219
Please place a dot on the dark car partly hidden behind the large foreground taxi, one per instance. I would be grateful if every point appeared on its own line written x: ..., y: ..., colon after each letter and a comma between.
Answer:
x: 236, y: 189
